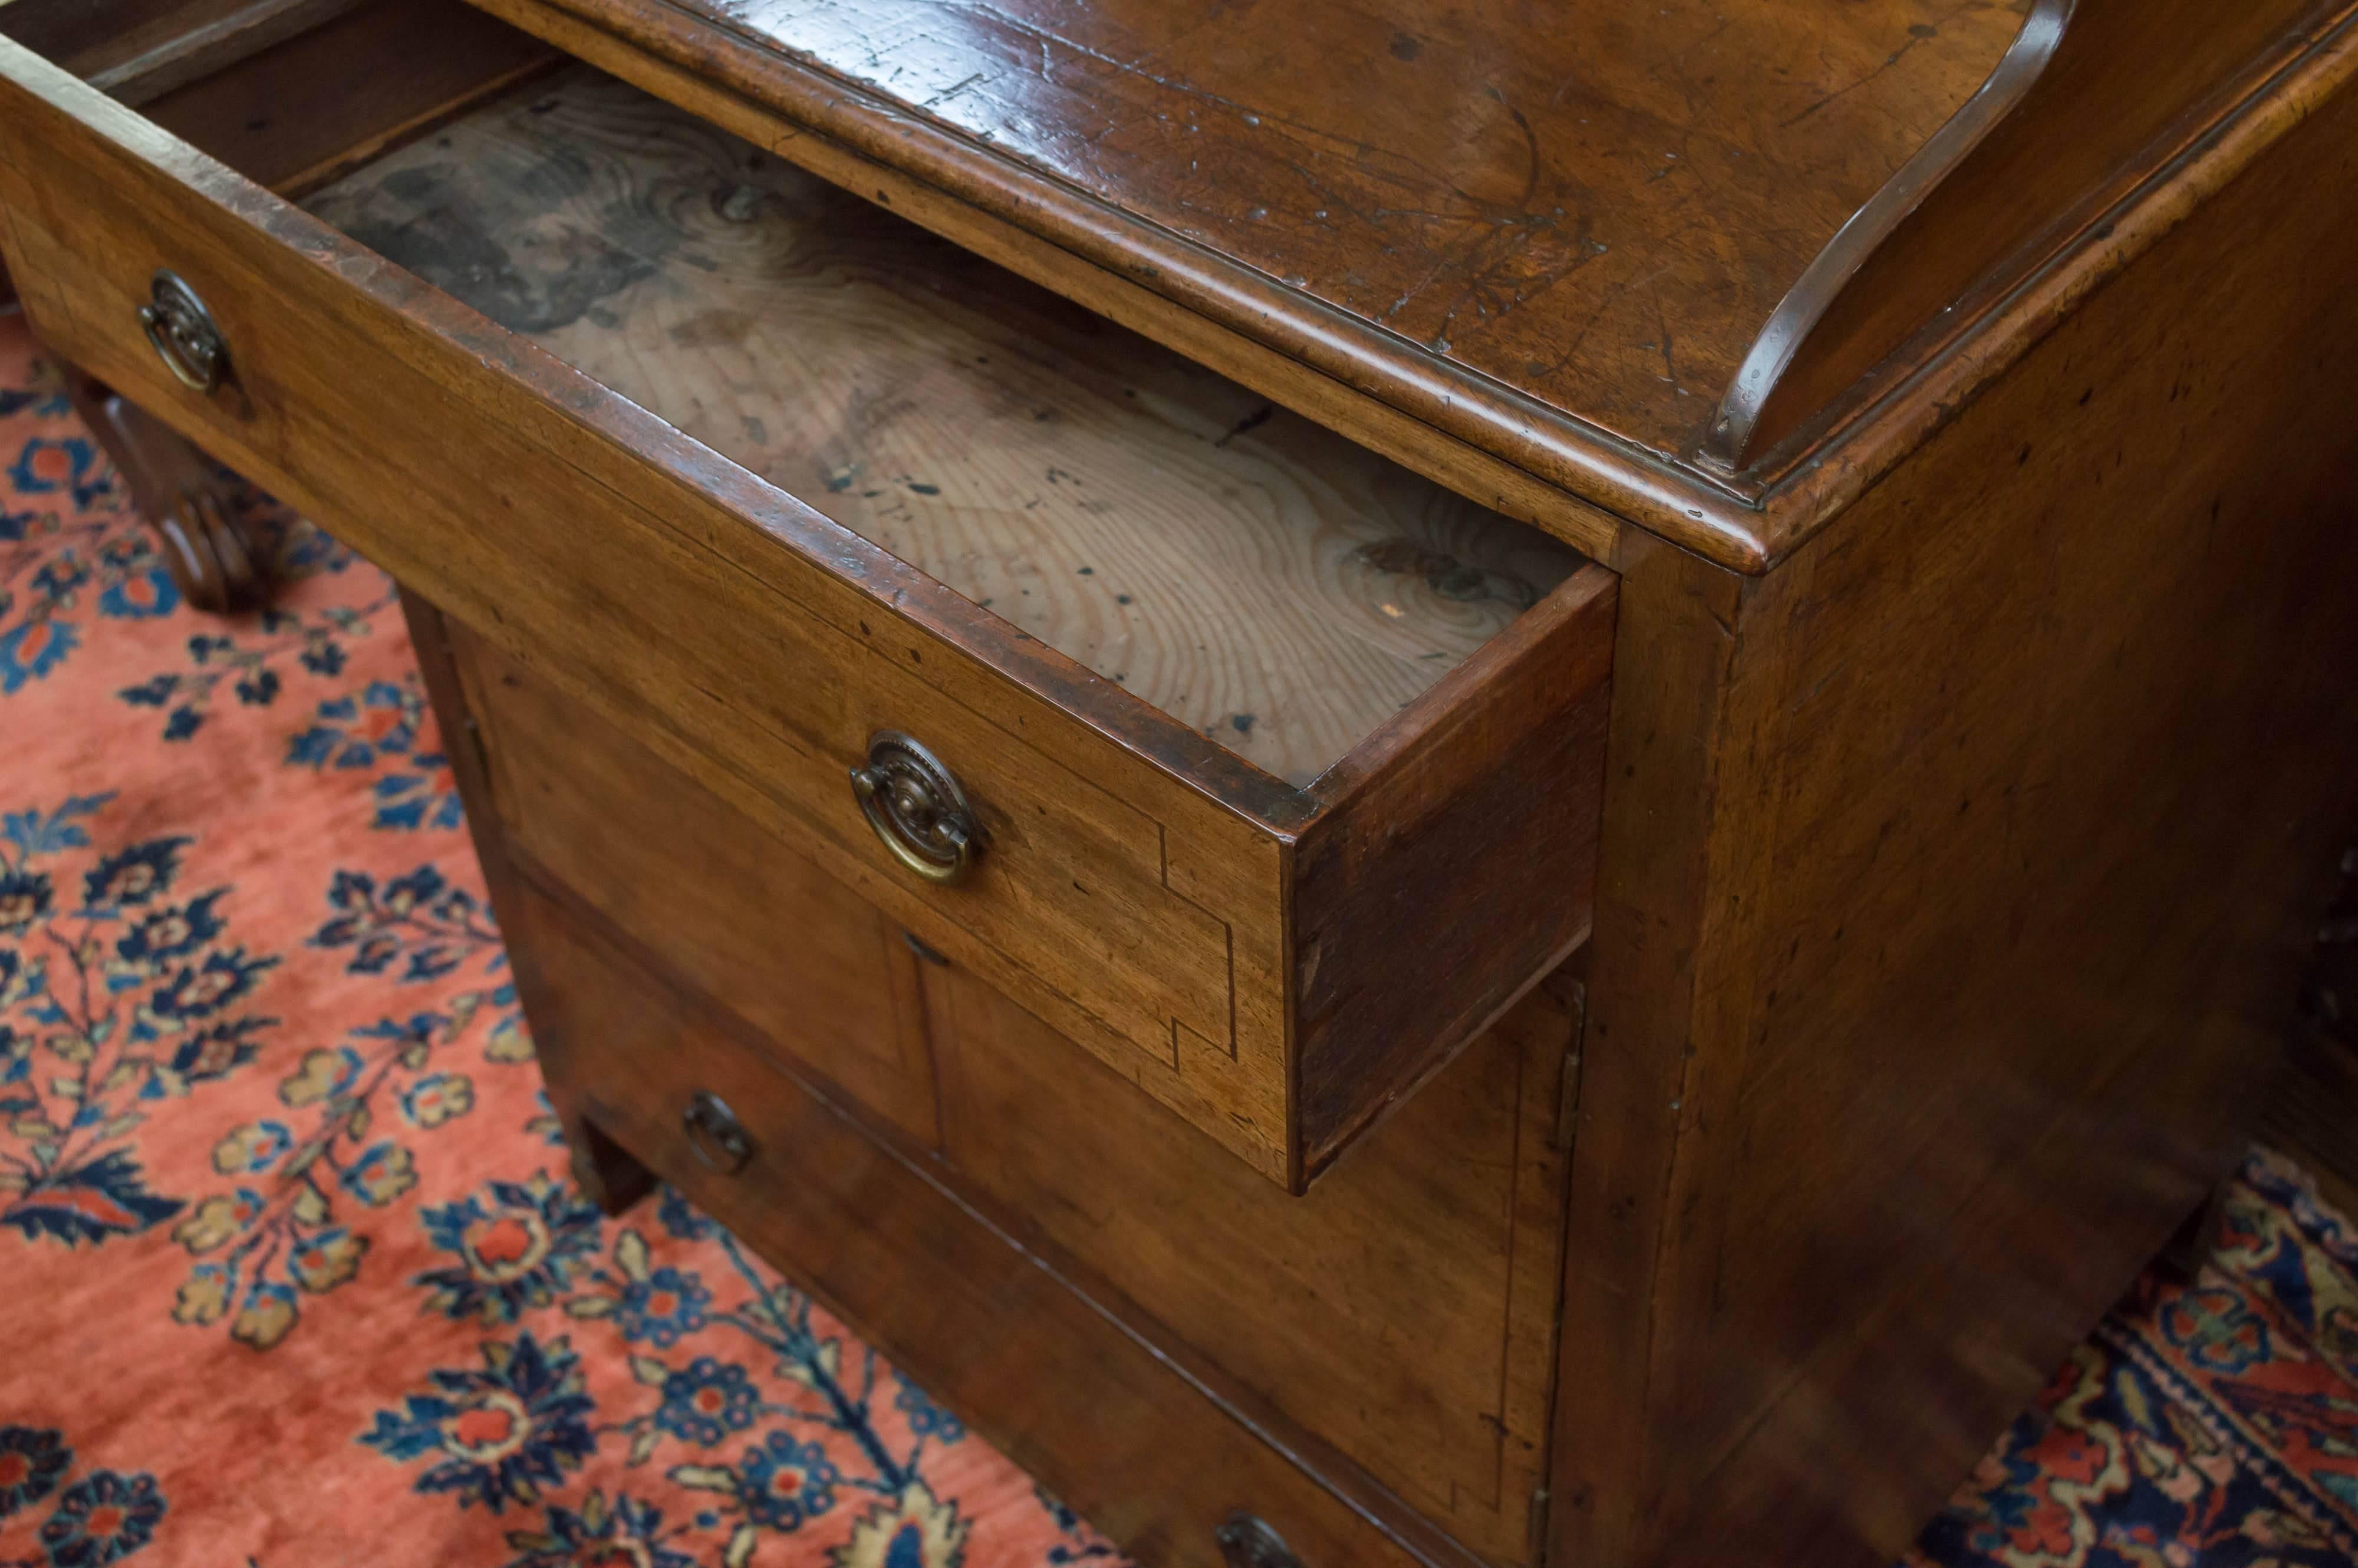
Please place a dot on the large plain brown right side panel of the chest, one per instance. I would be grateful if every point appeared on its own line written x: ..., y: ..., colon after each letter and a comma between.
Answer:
x: 2031, y: 786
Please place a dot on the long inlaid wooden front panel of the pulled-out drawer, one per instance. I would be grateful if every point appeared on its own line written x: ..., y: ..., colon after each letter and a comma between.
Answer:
x: 732, y: 631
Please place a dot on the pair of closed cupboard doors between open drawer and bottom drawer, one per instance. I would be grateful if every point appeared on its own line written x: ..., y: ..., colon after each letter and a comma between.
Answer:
x: 1296, y: 1300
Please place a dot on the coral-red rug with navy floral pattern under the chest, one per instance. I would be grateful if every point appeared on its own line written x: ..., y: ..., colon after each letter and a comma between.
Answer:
x: 291, y: 1272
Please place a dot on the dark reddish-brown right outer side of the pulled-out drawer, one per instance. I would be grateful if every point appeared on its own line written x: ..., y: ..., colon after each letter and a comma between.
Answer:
x: 1456, y: 869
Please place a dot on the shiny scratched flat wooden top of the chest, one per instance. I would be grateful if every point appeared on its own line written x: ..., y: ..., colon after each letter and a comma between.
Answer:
x: 1595, y: 206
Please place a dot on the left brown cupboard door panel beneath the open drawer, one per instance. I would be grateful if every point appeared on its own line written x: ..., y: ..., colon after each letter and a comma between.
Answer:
x: 713, y: 900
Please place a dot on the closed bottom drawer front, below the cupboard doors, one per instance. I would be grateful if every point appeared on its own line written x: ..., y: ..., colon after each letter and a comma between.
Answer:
x: 1100, y: 1418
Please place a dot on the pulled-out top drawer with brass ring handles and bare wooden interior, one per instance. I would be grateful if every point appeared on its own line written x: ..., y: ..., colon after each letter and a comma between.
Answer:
x: 1241, y: 756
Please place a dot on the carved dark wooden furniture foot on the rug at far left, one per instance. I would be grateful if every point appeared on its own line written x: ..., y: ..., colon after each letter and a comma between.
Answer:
x: 183, y: 494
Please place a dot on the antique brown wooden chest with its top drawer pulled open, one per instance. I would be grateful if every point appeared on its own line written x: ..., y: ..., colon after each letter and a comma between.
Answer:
x: 1425, y: 786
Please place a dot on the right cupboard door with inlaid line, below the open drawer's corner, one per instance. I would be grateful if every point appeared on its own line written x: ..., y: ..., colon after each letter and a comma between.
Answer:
x: 1324, y: 1305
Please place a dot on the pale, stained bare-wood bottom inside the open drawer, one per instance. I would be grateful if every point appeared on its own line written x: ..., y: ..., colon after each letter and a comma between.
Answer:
x: 1232, y: 565
